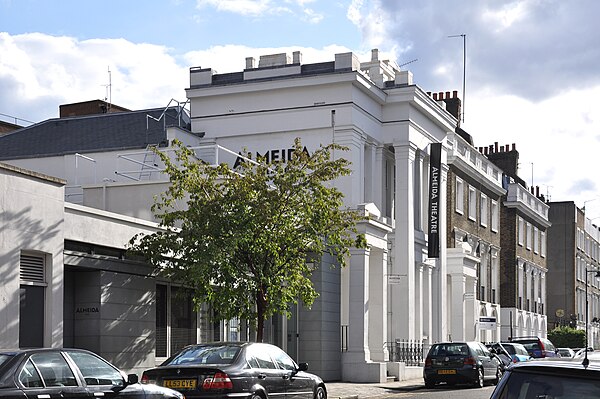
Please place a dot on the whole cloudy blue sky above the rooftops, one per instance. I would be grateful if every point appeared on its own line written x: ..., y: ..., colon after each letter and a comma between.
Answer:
x: 532, y: 66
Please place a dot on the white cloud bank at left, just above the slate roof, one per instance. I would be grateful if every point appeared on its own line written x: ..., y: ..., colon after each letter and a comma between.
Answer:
x: 39, y: 72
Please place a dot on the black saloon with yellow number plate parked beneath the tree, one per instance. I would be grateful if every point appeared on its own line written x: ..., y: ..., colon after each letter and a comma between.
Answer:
x: 236, y: 370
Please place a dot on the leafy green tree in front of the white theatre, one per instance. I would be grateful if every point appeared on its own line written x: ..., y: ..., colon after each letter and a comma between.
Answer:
x: 243, y: 239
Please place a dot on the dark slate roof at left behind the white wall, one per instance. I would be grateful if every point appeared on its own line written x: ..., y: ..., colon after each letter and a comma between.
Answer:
x: 90, y: 133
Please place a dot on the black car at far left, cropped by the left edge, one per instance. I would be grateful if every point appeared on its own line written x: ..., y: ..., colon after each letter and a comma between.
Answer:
x: 69, y: 373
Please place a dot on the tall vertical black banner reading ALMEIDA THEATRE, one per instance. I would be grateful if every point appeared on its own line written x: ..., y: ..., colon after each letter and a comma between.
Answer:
x: 435, y: 179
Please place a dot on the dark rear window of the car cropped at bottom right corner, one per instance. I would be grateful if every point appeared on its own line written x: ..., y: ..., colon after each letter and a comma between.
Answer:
x: 523, y: 385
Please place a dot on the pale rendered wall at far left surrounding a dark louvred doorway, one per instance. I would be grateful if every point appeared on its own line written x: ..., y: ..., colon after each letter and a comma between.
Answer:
x: 31, y: 219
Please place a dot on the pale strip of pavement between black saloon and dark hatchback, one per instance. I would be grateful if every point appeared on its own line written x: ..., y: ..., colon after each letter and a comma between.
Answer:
x: 352, y: 390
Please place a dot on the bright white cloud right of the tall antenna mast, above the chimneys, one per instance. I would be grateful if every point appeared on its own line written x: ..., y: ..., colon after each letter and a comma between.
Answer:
x: 557, y: 136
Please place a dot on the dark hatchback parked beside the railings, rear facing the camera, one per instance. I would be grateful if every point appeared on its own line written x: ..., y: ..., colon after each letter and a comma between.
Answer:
x: 461, y: 362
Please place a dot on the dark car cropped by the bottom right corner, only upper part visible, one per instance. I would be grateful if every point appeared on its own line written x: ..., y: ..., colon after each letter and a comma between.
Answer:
x: 548, y: 379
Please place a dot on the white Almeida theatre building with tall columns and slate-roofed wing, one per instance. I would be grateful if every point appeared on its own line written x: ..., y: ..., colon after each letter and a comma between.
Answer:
x: 396, y: 135
